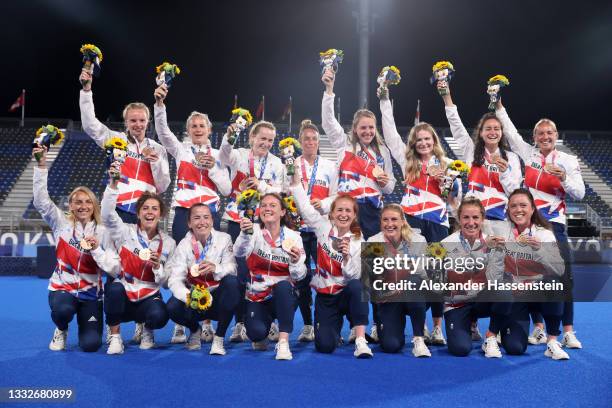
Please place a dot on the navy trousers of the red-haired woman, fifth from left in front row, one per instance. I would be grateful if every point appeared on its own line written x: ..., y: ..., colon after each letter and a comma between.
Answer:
x: 330, y: 311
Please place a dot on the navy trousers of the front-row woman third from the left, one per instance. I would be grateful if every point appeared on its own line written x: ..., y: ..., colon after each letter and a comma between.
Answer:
x: 225, y: 300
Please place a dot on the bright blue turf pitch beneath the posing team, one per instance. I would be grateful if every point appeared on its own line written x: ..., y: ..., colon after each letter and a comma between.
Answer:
x: 170, y: 376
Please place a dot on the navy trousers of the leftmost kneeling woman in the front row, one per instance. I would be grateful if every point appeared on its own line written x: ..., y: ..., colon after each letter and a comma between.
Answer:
x: 89, y: 317
